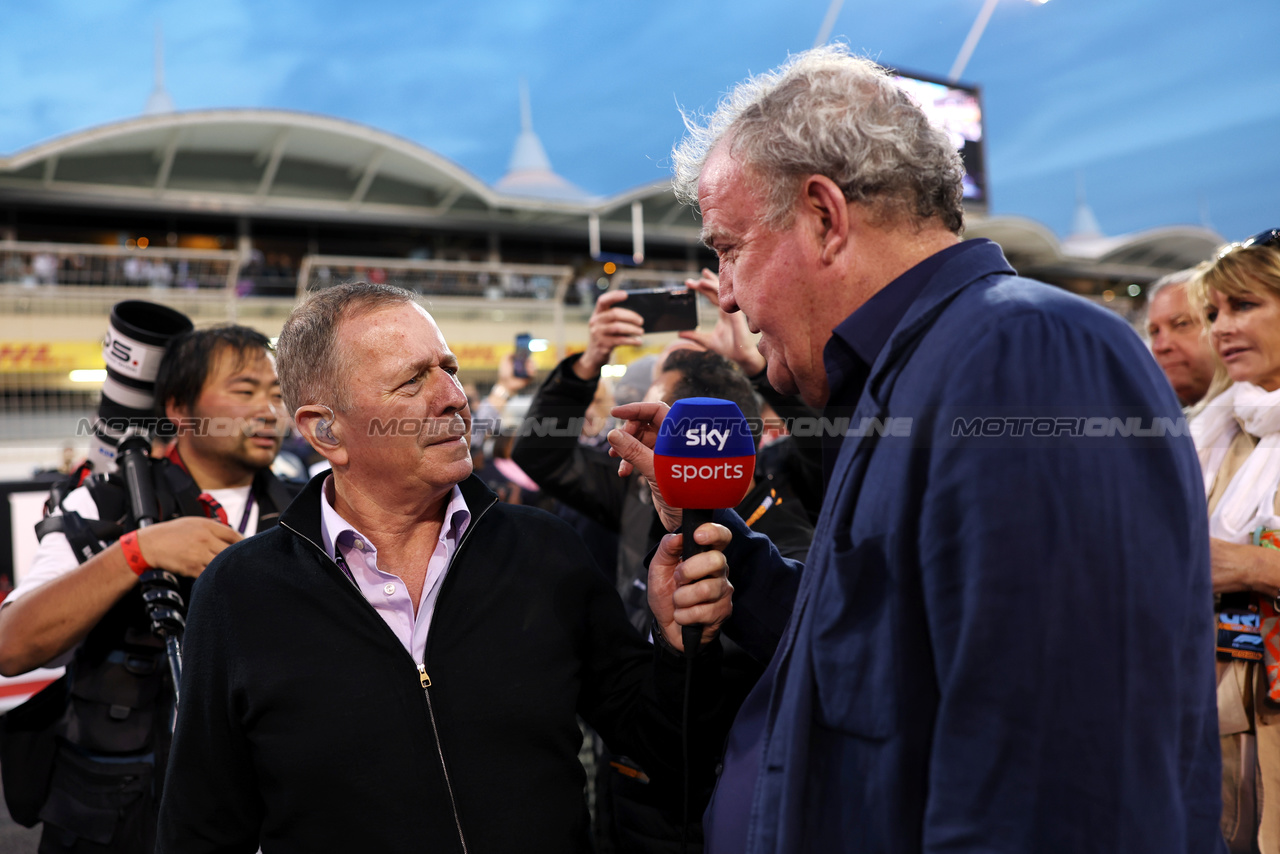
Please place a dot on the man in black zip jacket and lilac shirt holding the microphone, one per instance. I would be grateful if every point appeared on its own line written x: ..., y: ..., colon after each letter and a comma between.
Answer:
x: 400, y: 665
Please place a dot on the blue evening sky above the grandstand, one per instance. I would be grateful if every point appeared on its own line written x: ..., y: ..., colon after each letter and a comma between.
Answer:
x: 1169, y: 111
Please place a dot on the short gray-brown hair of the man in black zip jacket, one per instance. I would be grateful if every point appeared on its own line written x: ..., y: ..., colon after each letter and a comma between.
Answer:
x: 309, y: 362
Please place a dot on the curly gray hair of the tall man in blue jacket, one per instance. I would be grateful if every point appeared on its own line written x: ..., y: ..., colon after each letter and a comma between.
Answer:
x: 826, y: 112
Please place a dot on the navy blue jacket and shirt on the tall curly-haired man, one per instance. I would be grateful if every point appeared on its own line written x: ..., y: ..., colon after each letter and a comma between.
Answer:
x: 972, y: 659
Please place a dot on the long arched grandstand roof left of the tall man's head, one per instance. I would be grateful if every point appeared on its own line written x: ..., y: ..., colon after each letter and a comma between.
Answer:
x: 264, y: 163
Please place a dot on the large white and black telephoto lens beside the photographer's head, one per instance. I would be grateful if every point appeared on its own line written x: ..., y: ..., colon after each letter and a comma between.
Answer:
x: 135, y: 344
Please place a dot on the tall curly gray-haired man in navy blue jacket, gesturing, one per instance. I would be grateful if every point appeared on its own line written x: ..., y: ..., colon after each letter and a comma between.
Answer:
x: 999, y: 641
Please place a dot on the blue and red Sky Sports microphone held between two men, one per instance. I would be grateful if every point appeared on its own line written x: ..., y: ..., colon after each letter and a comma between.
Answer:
x: 703, y: 460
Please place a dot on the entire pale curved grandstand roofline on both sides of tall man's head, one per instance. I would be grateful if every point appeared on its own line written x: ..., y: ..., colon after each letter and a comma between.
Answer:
x: 301, y: 166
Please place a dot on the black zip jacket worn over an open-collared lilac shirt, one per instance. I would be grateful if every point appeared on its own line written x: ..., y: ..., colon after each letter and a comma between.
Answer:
x: 305, y: 725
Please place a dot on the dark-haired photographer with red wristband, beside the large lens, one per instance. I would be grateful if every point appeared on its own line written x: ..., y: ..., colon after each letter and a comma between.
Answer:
x: 220, y: 389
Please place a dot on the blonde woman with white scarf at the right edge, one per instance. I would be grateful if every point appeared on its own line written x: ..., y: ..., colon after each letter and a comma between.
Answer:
x: 1238, y: 440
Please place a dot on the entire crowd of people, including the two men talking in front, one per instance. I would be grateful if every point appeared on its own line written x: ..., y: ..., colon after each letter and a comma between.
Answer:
x: 929, y: 625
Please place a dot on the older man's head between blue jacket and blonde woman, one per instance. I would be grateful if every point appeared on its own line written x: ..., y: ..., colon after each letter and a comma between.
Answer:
x: 1178, y: 339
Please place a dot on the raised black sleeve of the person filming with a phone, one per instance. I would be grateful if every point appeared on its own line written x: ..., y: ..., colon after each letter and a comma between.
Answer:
x: 584, y: 478
